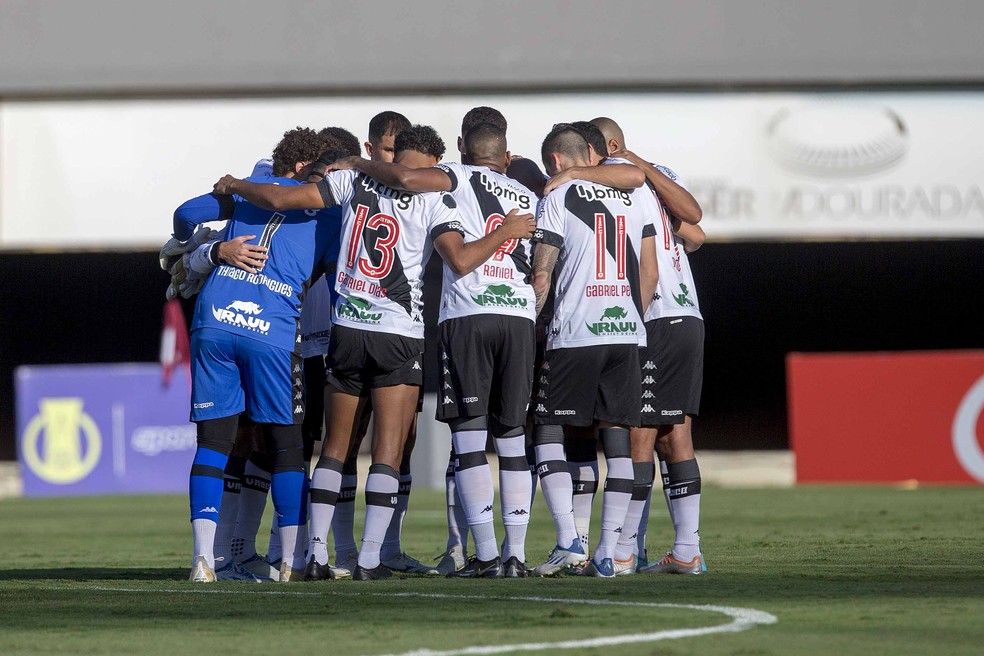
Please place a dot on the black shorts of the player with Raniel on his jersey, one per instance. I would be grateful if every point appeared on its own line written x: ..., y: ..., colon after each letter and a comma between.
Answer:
x: 486, y: 368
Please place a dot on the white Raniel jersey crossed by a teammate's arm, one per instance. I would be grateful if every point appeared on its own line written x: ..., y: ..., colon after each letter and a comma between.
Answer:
x: 502, y: 284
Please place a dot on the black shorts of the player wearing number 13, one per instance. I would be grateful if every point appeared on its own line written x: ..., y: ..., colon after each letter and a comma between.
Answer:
x: 361, y: 360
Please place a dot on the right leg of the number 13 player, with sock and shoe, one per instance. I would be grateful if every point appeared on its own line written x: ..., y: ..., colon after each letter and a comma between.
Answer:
x: 395, y: 406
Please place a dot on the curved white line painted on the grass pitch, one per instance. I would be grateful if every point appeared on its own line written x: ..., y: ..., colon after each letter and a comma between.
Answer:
x: 743, y: 618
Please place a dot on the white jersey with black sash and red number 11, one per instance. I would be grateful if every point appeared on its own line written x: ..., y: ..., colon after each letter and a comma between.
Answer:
x: 599, y: 231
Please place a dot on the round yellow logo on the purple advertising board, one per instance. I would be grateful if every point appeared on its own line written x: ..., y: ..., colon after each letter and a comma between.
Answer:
x: 61, y: 458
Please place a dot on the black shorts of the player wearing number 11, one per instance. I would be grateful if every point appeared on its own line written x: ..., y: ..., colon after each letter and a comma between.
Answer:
x: 580, y: 385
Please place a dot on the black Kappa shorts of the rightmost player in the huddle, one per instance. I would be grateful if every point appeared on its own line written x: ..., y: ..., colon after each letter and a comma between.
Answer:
x: 672, y: 370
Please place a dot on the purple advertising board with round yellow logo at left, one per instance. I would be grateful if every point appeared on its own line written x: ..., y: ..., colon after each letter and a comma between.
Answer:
x: 103, y: 429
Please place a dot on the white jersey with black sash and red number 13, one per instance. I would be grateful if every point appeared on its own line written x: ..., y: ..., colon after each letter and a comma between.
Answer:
x: 386, y: 238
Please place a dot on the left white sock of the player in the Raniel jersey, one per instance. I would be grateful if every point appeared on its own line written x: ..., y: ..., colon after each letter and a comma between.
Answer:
x: 473, y: 478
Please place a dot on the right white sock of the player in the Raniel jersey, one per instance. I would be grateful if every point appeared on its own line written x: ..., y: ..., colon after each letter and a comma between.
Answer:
x: 514, y: 494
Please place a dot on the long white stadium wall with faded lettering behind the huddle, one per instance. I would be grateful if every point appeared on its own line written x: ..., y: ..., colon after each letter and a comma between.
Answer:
x: 109, y: 173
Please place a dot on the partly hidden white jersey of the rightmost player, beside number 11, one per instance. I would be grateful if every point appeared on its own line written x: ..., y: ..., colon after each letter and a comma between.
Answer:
x: 676, y: 295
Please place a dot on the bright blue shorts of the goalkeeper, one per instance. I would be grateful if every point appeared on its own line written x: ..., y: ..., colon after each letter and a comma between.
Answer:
x: 230, y: 373
